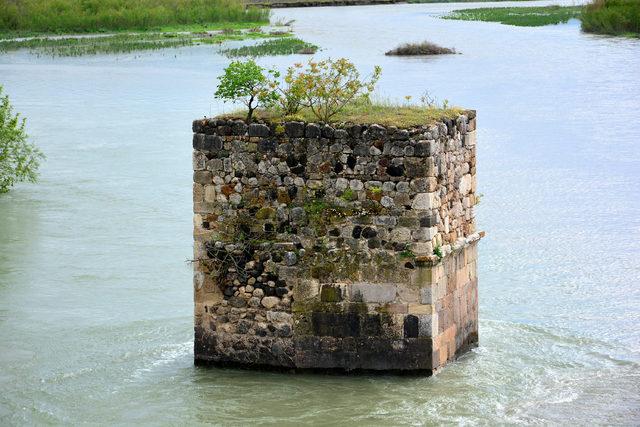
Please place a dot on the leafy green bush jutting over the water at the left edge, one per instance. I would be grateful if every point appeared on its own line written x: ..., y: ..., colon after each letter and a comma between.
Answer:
x: 19, y: 159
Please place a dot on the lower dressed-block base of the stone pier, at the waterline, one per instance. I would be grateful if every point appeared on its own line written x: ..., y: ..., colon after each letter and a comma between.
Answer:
x: 353, y: 327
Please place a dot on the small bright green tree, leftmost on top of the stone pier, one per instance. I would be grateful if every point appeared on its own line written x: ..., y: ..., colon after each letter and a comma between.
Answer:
x: 247, y: 82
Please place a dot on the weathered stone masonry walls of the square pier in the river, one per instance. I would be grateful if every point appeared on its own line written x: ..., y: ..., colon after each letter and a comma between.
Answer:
x: 349, y: 247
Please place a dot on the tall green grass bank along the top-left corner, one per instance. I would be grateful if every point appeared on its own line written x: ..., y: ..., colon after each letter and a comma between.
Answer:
x: 80, y: 16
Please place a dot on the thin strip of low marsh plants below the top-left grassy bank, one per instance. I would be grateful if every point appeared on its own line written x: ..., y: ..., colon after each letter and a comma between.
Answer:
x: 123, y: 43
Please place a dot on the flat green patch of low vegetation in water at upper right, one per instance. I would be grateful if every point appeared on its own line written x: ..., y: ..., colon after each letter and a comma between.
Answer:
x: 520, y: 16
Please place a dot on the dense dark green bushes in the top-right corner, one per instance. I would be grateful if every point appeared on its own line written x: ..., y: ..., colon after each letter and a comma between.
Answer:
x: 614, y: 17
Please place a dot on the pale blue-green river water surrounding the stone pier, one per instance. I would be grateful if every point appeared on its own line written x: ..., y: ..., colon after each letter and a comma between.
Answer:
x: 95, y: 284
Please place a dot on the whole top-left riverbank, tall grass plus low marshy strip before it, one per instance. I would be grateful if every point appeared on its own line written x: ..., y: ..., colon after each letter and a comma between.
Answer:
x: 73, y: 28
